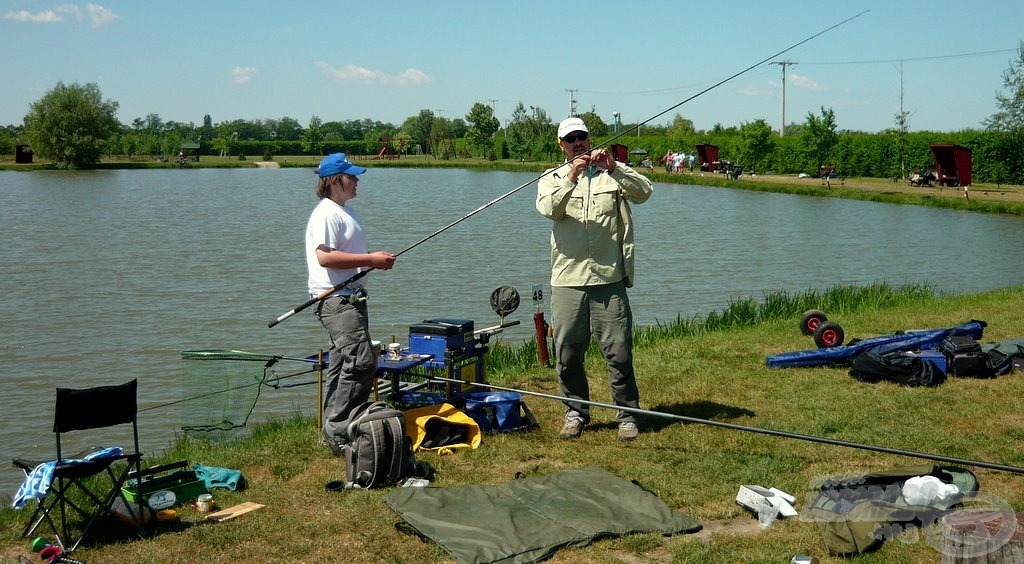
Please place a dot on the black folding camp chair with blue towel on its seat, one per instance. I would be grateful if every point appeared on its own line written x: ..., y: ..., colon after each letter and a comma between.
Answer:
x: 70, y: 479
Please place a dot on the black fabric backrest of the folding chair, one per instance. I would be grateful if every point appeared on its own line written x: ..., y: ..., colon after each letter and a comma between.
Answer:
x: 78, y: 410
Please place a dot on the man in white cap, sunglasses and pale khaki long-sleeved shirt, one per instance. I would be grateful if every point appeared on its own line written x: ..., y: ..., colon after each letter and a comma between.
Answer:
x: 591, y: 267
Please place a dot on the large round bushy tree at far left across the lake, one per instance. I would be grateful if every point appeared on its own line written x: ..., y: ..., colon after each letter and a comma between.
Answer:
x: 71, y: 124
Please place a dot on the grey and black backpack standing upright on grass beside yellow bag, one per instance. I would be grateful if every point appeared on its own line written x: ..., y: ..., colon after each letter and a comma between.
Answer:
x: 378, y: 454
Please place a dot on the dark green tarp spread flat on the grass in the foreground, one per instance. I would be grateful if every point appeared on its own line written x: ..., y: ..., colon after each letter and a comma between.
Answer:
x: 528, y: 520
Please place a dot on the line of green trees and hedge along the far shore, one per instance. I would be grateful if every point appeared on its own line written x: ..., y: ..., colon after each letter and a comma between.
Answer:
x: 73, y: 126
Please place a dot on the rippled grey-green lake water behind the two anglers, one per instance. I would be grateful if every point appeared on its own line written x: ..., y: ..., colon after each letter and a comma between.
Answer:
x: 109, y: 276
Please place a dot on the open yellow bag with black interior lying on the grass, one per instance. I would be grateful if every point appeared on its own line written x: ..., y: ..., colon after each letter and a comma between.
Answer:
x: 442, y: 428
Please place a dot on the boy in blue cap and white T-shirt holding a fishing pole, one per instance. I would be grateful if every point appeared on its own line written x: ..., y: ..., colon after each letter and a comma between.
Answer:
x: 336, y: 251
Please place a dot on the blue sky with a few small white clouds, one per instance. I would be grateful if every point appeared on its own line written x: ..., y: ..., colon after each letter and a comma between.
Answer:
x: 940, y: 61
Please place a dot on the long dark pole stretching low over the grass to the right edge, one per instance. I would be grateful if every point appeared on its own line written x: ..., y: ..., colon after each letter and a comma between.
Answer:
x: 736, y: 427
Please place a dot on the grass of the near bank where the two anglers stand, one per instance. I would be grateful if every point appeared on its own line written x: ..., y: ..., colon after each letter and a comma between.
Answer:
x: 710, y: 369
